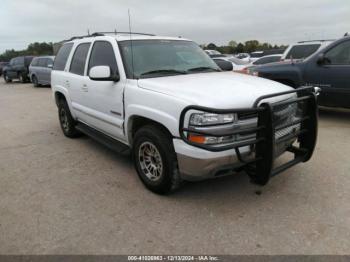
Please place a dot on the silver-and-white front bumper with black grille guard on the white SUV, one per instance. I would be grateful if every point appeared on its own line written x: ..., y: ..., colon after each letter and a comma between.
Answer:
x: 272, y: 137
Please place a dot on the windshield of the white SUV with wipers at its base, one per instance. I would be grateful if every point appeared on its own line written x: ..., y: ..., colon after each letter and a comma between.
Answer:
x: 156, y: 58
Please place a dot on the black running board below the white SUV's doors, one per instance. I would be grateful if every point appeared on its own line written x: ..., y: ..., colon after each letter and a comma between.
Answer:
x: 103, y: 139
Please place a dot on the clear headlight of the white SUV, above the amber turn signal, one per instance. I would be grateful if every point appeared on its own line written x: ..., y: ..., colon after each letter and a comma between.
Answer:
x: 209, y: 119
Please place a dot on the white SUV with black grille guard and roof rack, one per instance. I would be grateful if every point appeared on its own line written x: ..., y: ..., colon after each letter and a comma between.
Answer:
x: 180, y: 115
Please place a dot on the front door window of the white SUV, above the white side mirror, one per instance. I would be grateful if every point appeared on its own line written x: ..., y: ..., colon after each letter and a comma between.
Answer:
x: 102, y: 54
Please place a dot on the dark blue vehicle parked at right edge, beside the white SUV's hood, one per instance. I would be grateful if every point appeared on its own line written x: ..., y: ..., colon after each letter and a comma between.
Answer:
x: 328, y: 69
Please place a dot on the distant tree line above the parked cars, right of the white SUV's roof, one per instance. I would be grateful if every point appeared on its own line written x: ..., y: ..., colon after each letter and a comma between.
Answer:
x: 247, y: 47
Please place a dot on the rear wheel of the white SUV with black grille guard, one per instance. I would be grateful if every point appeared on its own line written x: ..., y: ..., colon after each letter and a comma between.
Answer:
x: 66, y: 120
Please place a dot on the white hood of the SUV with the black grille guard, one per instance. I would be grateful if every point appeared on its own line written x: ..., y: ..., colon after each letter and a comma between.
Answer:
x: 221, y: 90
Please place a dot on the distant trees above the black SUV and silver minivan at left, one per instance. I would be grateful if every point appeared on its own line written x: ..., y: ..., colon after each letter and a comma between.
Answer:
x: 34, y: 49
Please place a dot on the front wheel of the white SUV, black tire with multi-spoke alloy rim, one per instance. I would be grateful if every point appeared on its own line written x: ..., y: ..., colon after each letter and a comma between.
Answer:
x: 155, y: 160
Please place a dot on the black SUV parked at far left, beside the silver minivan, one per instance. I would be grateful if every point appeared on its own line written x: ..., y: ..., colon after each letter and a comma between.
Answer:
x: 18, y: 68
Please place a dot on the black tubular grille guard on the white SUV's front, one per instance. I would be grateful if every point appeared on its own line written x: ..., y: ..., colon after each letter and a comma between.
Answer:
x: 261, y: 166
